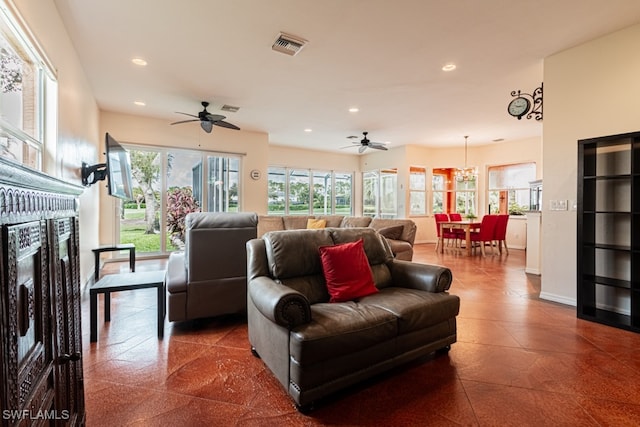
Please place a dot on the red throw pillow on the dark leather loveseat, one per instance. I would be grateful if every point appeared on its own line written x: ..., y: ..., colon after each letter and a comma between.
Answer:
x: 347, y: 272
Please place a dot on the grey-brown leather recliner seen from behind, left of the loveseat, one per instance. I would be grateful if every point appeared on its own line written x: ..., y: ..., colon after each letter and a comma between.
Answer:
x: 210, y: 277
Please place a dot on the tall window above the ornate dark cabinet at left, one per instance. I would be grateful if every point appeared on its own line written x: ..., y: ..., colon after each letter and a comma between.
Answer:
x: 28, y: 94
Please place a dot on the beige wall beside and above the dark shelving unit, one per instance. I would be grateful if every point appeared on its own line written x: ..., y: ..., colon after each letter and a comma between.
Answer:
x: 590, y: 90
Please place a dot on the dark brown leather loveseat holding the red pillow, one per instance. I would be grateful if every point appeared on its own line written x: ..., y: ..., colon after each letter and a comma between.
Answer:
x: 314, y: 347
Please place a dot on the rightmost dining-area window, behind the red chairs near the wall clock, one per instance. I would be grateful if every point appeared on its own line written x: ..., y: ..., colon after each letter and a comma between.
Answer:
x: 509, y: 188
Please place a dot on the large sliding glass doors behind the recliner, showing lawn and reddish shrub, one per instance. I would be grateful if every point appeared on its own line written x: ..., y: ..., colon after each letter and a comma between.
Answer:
x: 190, y: 180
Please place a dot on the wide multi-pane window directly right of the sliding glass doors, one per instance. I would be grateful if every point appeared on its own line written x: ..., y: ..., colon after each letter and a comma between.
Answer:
x: 295, y: 191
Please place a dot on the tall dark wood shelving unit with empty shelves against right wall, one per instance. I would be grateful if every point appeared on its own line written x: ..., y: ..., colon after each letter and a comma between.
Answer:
x: 609, y: 230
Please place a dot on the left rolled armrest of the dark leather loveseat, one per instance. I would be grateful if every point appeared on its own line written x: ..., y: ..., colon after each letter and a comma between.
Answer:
x: 278, y: 303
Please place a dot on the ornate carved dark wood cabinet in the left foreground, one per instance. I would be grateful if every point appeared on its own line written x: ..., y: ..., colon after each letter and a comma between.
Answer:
x: 41, y: 358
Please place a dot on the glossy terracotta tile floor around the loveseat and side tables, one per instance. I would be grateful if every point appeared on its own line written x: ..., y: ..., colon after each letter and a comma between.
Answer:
x: 518, y: 361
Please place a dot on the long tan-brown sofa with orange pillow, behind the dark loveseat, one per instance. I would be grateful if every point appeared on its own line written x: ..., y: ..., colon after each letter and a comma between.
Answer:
x: 401, y: 242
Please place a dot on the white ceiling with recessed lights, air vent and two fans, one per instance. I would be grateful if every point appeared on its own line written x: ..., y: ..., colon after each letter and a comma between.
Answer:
x: 383, y: 56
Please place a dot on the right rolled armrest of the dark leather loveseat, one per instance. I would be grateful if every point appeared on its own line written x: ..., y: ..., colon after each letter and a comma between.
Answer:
x: 432, y: 278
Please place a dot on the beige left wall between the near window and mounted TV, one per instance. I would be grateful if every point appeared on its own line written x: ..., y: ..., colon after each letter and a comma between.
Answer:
x: 77, y: 118
